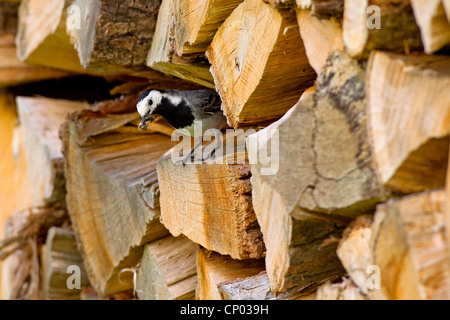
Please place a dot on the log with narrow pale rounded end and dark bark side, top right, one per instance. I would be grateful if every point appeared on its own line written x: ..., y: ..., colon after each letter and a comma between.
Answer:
x: 396, y: 30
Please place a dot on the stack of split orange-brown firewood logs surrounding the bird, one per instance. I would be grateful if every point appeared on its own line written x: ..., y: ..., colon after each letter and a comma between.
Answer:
x: 352, y: 96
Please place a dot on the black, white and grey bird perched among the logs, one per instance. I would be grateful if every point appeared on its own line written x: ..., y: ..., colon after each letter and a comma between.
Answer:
x: 182, y: 109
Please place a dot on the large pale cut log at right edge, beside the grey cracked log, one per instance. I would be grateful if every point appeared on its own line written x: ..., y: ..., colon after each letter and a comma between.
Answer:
x: 408, y: 114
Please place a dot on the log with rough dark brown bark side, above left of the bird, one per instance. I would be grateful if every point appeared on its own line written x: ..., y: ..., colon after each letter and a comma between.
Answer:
x: 115, y: 36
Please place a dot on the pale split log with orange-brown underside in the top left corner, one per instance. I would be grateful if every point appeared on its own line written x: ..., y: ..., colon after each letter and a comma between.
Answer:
x: 42, y: 37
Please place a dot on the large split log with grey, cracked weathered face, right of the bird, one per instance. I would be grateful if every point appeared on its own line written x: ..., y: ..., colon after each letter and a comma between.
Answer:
x: 317, y: 186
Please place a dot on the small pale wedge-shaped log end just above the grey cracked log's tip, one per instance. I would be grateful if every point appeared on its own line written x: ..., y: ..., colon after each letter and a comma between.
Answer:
x: 320, y: 36
